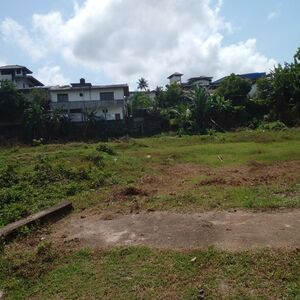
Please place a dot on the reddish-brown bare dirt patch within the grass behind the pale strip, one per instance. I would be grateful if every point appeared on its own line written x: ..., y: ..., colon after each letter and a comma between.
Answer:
x: 180, y: 177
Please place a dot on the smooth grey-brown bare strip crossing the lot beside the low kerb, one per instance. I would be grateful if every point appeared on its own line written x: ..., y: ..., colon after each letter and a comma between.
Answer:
x: 236, y: 230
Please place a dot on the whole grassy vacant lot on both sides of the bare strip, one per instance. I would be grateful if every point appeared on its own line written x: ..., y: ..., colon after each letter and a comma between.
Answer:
x: 255, y: 170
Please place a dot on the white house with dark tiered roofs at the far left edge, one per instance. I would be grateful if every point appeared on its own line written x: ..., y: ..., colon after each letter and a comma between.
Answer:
x: 20, y: 76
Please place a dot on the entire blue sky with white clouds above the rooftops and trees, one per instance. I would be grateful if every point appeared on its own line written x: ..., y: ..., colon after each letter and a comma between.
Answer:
x: 118, y: 41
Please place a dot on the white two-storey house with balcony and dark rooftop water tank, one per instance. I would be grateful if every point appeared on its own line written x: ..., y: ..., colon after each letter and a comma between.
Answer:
x: 107, y: 102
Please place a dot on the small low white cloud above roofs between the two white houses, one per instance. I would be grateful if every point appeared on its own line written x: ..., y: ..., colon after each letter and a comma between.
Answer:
x: 51, y: 76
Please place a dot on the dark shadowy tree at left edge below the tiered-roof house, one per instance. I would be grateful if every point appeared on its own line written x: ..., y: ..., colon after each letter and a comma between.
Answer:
x: 12, y: 103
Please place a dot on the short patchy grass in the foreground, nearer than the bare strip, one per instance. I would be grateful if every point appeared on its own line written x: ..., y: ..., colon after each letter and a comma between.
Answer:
x: 142, y: 273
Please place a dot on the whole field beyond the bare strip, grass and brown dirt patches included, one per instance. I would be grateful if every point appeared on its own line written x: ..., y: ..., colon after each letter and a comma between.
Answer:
x: 32, y: 178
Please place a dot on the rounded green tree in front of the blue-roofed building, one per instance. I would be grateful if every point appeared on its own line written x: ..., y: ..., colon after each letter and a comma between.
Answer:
x: 234, y: 88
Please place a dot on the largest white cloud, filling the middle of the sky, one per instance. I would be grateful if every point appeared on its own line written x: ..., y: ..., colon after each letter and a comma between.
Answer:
x: 134, y: 38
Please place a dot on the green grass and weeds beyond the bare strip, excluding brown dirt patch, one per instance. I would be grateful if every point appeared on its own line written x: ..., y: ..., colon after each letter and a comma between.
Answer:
x: 33, y: 178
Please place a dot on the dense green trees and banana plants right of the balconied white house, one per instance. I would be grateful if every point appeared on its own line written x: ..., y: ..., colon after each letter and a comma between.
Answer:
x: 277, y: 99
